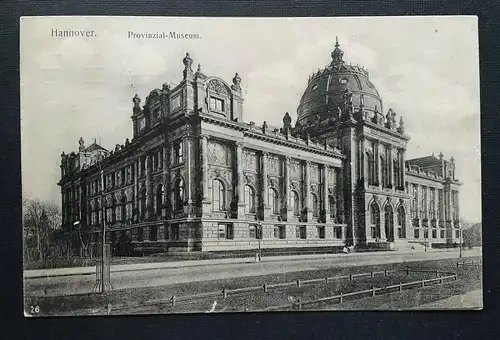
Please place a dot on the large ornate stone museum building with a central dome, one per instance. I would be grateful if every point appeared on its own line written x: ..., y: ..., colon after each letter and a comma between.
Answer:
x: 196, y: 177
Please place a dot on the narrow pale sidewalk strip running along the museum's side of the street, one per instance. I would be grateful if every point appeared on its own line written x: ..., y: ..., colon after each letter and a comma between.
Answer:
x: 56, y: 272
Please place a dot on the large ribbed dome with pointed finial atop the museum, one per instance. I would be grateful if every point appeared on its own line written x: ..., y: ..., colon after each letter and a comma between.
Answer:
x: 326, y: 90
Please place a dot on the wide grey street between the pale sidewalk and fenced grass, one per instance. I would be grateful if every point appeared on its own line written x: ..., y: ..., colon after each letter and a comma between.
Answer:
x: 76, y: 284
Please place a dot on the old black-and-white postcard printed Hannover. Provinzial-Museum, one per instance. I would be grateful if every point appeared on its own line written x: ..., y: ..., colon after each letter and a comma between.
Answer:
x: 207, y: 165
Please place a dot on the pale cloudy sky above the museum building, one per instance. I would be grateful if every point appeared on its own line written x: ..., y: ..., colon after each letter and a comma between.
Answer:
x: 425, y: 68
